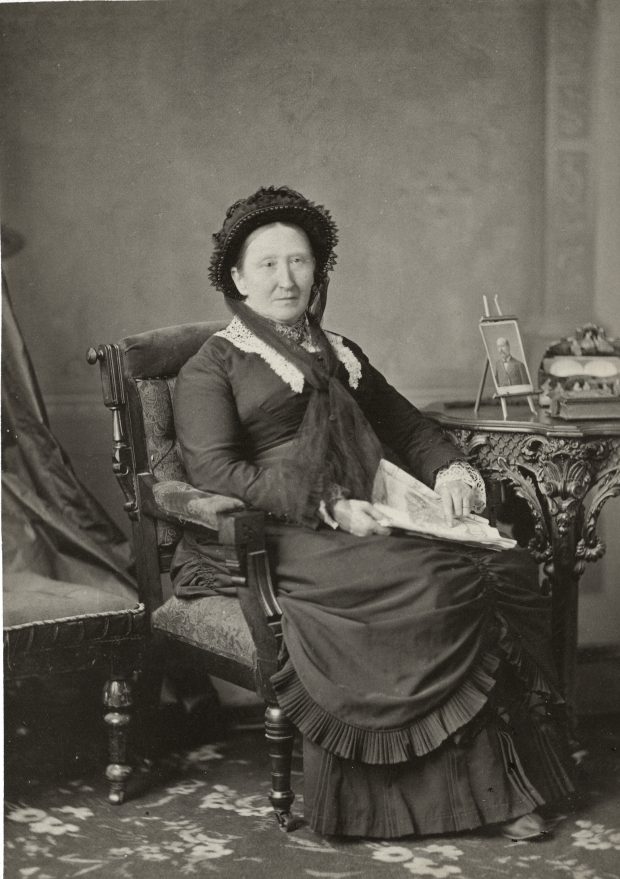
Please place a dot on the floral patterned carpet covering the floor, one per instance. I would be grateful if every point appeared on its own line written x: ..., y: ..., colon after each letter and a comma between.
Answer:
x: 204, y: 811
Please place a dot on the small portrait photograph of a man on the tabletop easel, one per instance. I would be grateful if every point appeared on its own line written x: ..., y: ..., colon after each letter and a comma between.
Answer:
x: 502, y: 341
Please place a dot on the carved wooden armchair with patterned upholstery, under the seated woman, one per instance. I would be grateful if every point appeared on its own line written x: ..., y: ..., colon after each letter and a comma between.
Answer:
x: 237, y: 640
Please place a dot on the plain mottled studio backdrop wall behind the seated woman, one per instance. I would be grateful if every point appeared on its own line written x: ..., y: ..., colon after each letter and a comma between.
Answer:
x: 129, y: 127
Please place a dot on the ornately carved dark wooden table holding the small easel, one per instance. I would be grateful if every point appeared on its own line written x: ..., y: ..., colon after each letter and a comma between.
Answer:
x: 565, y: 471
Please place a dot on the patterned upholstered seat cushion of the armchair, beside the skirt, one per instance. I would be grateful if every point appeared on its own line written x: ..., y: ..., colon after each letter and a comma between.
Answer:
x: 216, y: 621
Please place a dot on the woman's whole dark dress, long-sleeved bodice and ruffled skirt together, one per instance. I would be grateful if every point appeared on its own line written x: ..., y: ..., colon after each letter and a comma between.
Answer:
x: 418, y: 671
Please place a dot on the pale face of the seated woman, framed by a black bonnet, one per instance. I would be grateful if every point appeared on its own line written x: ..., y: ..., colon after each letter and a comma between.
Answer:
x: 275, y: 272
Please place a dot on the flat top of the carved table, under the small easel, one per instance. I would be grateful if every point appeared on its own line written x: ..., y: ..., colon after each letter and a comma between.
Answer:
x: 520, y: 420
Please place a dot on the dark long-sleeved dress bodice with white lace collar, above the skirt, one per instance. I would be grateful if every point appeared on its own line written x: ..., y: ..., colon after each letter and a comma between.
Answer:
x: 235, y: 408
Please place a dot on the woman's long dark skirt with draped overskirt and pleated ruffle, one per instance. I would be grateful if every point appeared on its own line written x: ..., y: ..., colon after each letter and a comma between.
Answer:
x: 420, y: 675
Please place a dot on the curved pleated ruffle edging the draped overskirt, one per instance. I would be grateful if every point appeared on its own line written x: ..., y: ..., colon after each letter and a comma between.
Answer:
x: 383, y: 746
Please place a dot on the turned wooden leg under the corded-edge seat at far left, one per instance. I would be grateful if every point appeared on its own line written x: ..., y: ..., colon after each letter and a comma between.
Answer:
x: 118, y: 702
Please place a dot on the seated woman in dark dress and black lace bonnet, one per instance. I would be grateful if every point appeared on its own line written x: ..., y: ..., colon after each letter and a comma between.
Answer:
x: 418, y: 671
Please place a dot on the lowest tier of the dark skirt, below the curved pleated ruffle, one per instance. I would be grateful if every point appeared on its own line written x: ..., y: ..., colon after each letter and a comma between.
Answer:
x: 492, y: 771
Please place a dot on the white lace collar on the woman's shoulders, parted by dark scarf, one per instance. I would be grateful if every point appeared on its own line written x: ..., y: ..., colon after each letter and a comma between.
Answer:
x: 245, y: 340
